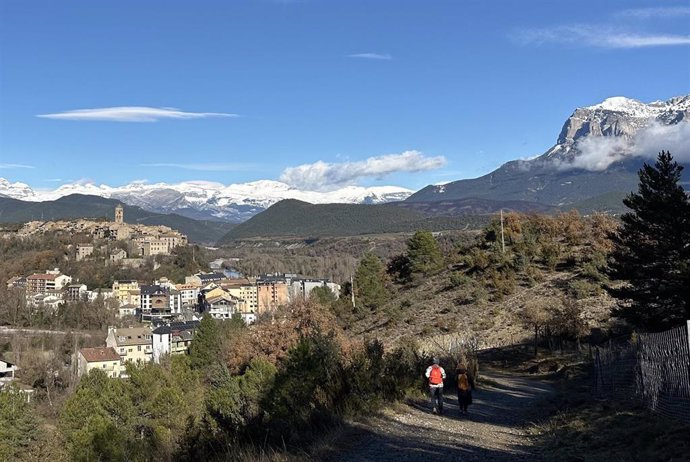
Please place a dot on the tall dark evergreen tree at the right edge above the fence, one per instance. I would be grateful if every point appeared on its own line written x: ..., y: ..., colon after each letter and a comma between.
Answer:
x: 652, y: 250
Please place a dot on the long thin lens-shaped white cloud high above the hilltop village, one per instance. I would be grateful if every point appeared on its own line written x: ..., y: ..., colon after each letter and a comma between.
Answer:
x: 132, y: 114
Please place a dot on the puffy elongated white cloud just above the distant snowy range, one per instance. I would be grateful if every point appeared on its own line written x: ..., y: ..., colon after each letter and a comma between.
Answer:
x: 321, y: 175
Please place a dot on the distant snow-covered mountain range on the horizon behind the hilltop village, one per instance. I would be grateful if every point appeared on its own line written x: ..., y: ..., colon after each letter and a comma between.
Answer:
x: 208, y: 200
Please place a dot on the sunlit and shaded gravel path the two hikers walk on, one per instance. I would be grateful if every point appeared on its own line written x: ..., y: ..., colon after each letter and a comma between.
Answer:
x: 494, y: 430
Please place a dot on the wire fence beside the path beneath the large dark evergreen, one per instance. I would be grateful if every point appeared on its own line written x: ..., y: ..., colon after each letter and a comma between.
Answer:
x: 653, y: 369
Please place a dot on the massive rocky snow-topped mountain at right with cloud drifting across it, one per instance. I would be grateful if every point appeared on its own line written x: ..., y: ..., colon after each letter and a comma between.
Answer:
x: 598, y: 152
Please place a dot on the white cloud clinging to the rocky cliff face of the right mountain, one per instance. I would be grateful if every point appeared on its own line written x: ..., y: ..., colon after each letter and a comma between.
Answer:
x: 598, y: 152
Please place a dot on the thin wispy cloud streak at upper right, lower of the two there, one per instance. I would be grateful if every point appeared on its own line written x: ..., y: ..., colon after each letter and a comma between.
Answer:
x: 597, y: 36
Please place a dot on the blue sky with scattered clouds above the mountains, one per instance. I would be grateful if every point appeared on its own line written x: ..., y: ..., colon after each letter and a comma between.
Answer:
x: 319, y: 93
